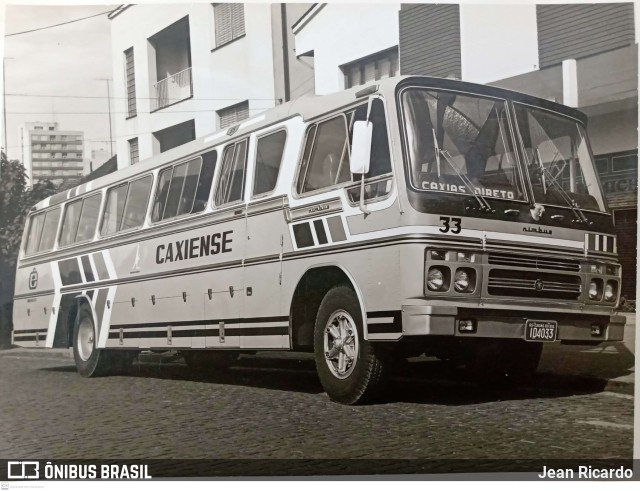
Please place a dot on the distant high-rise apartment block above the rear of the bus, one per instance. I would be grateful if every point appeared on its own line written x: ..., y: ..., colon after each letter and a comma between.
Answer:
x: 51, y: 153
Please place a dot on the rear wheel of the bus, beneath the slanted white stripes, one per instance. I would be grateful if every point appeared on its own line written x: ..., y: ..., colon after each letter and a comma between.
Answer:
x: 90, y: 361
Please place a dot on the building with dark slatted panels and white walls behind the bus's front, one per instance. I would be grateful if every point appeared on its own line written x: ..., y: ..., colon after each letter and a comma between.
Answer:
x: 583, y: 55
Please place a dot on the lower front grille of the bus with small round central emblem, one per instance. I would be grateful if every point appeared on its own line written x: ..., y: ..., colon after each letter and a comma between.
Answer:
x: 534, y: 284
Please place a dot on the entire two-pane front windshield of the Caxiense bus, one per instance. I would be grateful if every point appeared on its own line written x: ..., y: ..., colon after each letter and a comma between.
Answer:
x: 464, y: 144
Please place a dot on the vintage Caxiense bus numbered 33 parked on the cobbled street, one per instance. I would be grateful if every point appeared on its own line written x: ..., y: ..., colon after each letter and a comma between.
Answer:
x: 410, y: 216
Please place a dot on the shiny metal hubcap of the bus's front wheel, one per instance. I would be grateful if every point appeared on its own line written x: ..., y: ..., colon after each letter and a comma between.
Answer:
x: 341, y: 344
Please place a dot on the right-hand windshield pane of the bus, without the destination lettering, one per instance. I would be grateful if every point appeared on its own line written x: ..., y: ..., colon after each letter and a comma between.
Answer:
x: 557, y: 156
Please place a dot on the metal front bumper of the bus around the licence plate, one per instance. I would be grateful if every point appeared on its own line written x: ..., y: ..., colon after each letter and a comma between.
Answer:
x: 496, y: 323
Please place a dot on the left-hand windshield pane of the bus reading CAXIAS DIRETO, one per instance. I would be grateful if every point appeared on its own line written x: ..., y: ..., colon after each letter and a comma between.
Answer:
x: 460, y: 144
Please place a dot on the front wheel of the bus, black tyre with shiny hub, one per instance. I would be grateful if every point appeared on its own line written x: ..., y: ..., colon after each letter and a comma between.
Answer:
x: 350, y: 369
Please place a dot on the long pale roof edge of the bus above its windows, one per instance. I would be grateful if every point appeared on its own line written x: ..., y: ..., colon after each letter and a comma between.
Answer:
x: 307, y: 107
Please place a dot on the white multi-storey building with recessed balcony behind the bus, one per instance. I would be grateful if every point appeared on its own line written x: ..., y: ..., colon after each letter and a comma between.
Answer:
x: 184, y: 70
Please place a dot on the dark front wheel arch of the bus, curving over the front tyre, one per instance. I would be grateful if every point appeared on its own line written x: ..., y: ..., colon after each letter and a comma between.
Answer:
x: 310, y: 290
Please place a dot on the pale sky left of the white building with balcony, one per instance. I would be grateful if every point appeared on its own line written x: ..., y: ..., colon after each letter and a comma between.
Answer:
x: 69, y: 62
